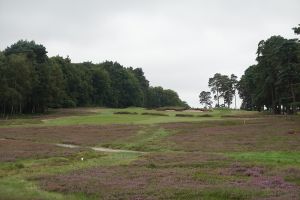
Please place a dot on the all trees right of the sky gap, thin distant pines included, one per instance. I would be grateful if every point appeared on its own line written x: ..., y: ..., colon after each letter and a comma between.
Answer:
x: 272, y: 84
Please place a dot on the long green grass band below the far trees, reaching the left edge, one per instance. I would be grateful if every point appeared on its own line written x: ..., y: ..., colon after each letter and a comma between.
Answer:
x: 106, y: 116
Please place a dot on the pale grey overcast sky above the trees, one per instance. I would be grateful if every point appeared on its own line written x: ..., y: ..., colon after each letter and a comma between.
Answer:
x: 178, y: 43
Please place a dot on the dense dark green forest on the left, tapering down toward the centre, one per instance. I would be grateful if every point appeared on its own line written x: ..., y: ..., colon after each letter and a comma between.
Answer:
x: 31, y: 82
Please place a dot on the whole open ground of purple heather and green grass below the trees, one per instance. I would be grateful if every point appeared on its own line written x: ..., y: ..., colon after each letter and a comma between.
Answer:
x: 217, y: 155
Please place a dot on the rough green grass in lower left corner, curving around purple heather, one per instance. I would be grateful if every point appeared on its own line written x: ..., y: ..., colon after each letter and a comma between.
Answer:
x: 14, y: 183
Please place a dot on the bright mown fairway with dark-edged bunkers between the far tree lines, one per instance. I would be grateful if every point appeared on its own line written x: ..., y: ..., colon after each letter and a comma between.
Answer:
x: 151, y: 117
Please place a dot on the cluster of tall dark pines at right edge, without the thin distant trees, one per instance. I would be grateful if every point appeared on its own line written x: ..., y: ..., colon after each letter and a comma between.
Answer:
x: 274, y: 82
